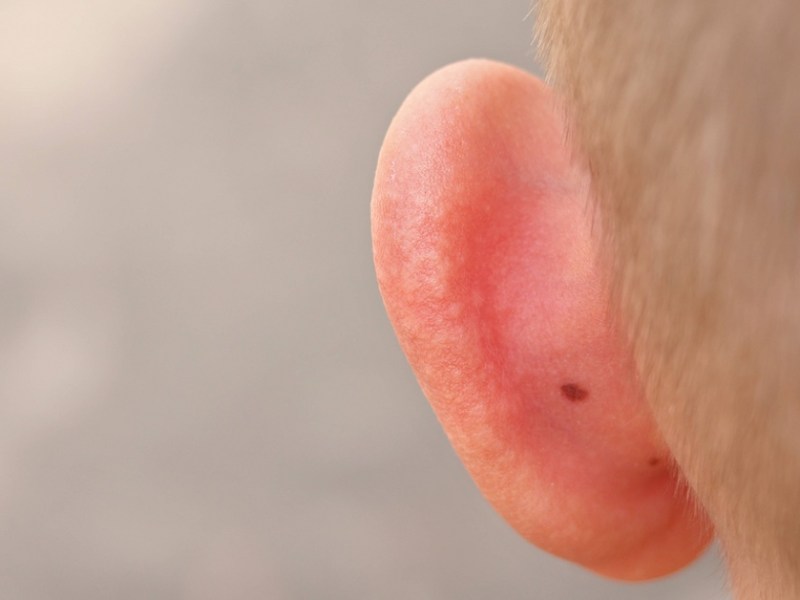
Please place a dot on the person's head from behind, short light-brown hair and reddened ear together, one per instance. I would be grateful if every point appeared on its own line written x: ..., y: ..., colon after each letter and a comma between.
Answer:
x: 597, y: 282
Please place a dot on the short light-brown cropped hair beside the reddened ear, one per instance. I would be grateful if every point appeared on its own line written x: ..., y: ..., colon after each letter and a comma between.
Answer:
x: 687, y: 115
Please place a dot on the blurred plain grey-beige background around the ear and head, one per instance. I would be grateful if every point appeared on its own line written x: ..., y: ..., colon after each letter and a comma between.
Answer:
x: 200, y: 396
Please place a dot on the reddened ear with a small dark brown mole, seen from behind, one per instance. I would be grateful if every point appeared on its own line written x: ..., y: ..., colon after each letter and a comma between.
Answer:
x: 487, y: 261
